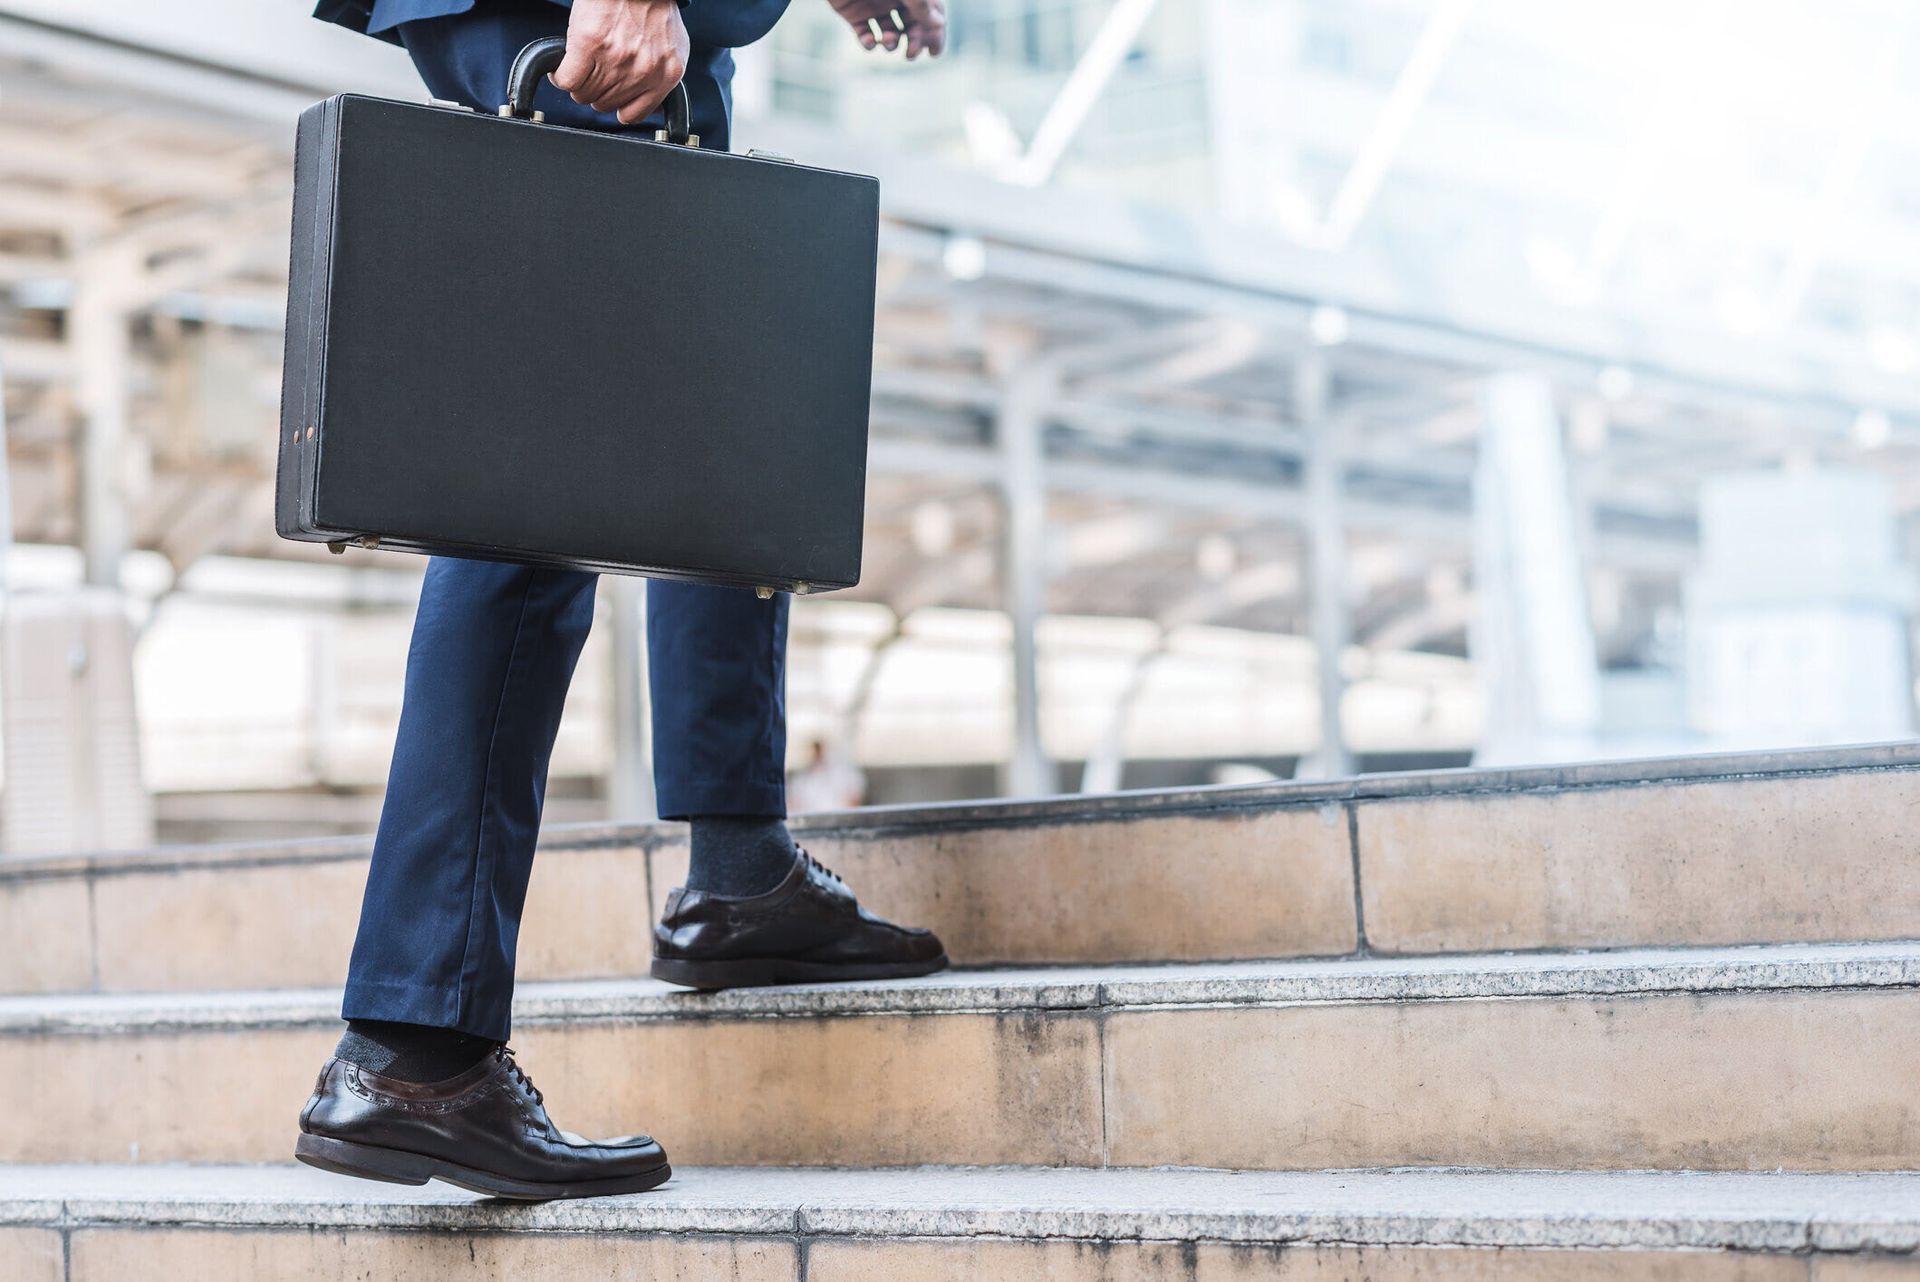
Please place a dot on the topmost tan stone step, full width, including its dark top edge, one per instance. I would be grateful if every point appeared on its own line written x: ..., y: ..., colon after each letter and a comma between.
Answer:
x: 1788, y: 847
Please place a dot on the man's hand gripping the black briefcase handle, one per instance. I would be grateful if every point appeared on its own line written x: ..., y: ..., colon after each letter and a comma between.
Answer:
x: 623, y: 57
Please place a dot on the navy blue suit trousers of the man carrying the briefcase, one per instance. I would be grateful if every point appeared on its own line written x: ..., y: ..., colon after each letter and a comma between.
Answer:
x: 494, y: 648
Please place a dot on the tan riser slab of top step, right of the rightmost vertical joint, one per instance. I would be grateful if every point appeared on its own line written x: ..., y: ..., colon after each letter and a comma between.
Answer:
x: 1794, y: 859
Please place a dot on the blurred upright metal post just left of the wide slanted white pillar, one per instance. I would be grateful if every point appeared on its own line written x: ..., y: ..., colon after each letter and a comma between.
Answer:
x: 1332, y: 619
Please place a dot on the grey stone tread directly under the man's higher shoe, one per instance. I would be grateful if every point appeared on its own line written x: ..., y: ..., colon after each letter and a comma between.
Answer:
x: 1228, y: 984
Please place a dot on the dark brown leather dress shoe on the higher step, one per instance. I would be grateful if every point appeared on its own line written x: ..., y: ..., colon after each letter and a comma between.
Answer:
x: 807, y: 930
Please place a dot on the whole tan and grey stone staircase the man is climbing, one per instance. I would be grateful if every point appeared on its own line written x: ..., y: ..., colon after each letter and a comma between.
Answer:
x: 1654, y: 1020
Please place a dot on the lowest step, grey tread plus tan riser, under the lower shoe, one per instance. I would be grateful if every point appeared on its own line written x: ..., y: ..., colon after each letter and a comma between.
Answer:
x: 938, y: 1225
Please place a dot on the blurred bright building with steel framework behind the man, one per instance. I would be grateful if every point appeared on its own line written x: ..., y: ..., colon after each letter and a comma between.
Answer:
x: 1262, y: 387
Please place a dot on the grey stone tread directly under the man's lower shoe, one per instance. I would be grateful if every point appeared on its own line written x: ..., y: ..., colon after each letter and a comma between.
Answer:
x: 1773, y: 1212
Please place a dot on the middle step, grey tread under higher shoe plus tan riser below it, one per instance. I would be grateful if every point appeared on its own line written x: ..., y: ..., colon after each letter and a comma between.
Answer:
x: 1731, y: 1058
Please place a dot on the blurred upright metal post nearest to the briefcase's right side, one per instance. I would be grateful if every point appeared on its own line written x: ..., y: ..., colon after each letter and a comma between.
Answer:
x: 1024, y: 567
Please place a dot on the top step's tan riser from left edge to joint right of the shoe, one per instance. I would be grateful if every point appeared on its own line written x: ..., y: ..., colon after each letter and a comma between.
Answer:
x: 1145, y: 890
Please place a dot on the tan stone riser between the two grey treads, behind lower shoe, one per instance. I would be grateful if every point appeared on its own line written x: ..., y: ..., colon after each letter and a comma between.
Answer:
x: 1800, y: 1080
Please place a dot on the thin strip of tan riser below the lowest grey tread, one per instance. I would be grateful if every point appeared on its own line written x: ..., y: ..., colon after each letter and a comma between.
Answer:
x: 164, y: 1254
